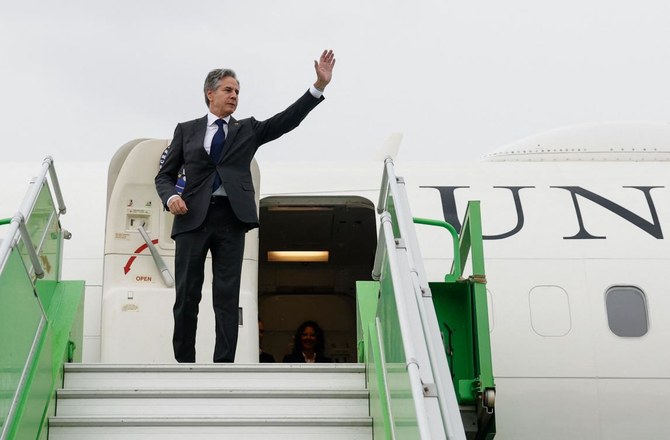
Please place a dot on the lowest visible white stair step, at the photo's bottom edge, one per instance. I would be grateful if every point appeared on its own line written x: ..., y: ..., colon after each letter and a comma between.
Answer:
x: 200, y: 428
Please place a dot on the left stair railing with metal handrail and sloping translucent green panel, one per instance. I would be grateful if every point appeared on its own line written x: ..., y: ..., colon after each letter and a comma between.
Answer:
x: 30, y: 251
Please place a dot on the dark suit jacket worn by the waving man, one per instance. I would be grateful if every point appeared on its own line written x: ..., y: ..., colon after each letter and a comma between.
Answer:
x: 243, y: 139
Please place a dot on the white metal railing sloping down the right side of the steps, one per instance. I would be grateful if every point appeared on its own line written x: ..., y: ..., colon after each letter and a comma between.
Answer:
x: 398, y: 259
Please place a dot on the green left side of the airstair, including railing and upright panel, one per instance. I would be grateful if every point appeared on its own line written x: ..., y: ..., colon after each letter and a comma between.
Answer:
x: 41, y: 316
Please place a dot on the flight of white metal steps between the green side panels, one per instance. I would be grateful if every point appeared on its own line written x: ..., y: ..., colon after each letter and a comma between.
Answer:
x: 237, y: 401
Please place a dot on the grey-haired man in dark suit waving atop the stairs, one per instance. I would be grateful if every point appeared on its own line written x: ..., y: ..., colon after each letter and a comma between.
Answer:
x: 217, y: 206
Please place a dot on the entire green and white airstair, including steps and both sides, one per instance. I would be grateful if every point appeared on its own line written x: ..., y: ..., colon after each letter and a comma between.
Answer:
x: 424, y: 368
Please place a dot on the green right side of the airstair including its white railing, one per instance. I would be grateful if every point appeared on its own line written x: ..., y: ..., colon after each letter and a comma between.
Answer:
x: 426, y: 345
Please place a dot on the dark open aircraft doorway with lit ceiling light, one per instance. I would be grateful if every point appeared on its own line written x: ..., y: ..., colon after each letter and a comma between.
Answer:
x: 312, y: 250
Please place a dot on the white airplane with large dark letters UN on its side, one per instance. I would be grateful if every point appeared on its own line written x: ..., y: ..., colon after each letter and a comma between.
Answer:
x: 574, y: 222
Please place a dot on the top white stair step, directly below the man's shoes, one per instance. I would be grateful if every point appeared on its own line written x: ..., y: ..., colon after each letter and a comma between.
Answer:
x: 215, y: 376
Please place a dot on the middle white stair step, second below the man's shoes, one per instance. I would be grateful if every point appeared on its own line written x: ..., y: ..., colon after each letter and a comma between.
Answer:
x: 231, y: 403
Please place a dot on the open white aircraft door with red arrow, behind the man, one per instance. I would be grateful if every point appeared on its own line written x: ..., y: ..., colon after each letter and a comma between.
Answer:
x: 137, y: 298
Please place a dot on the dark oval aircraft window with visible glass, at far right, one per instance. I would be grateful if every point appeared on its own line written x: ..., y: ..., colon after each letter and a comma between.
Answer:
x: 627, y: 311
